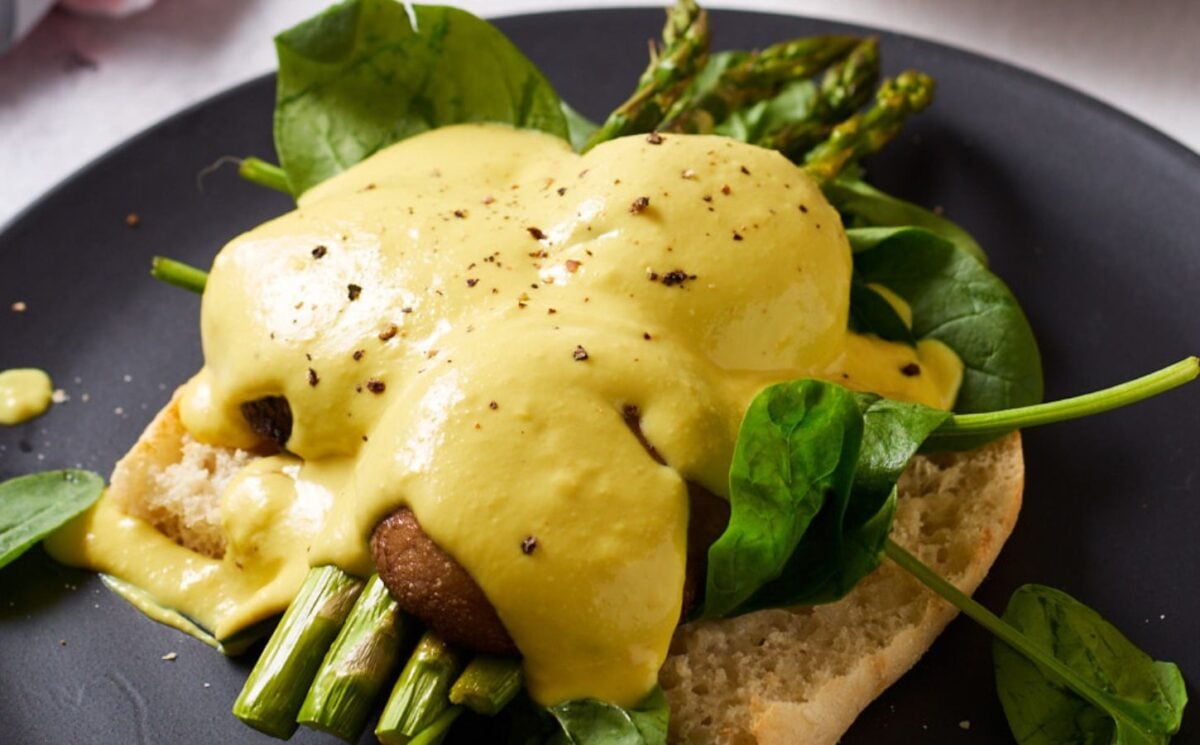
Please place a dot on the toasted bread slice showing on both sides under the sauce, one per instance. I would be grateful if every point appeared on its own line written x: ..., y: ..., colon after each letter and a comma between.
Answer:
x: 772, y: 677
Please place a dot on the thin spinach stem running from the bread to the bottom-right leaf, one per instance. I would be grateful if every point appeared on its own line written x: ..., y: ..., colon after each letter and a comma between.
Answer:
x: 1003, y: 630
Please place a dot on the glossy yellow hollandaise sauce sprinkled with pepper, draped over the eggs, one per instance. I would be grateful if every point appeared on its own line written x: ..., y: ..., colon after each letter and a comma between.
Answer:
x: 465, y: 322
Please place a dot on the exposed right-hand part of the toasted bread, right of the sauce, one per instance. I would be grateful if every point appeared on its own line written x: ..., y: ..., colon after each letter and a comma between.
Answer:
x: 805, y: 675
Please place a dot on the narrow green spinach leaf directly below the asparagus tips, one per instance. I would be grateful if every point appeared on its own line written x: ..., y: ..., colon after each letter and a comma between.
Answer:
x: 863, y: 206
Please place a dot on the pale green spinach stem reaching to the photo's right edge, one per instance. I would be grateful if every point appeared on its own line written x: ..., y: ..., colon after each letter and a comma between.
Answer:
x: 997, y: 423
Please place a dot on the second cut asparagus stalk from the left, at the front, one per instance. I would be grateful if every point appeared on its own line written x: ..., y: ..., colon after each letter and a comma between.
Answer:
x: 361, y: 662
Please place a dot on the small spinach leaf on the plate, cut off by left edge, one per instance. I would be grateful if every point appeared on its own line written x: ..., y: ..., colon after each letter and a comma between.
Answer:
x: 34, y: 507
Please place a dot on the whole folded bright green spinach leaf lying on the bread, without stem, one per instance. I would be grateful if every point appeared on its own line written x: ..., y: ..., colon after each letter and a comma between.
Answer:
x: 812, y: 495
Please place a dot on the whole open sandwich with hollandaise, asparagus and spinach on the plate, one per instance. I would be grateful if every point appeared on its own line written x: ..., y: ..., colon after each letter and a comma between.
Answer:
x: 555, y: 402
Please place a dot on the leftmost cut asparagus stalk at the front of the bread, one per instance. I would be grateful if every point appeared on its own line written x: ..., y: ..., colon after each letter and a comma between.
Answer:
x: 277, y: 687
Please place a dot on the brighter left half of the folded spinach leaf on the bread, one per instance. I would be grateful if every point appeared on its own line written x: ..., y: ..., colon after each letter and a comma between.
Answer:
x: 796, y: 452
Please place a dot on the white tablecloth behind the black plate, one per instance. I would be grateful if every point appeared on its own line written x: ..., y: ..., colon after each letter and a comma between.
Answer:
x: 79, y: 86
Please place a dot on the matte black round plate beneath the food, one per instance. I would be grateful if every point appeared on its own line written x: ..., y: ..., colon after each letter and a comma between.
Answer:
x: 1090, y: 215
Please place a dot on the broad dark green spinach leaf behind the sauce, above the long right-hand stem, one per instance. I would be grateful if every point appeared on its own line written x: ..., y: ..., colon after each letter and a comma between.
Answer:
x: 957, y: 301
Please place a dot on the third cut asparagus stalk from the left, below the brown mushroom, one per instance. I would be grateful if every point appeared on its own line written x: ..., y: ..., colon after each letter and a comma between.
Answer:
x: 421, y: 695
